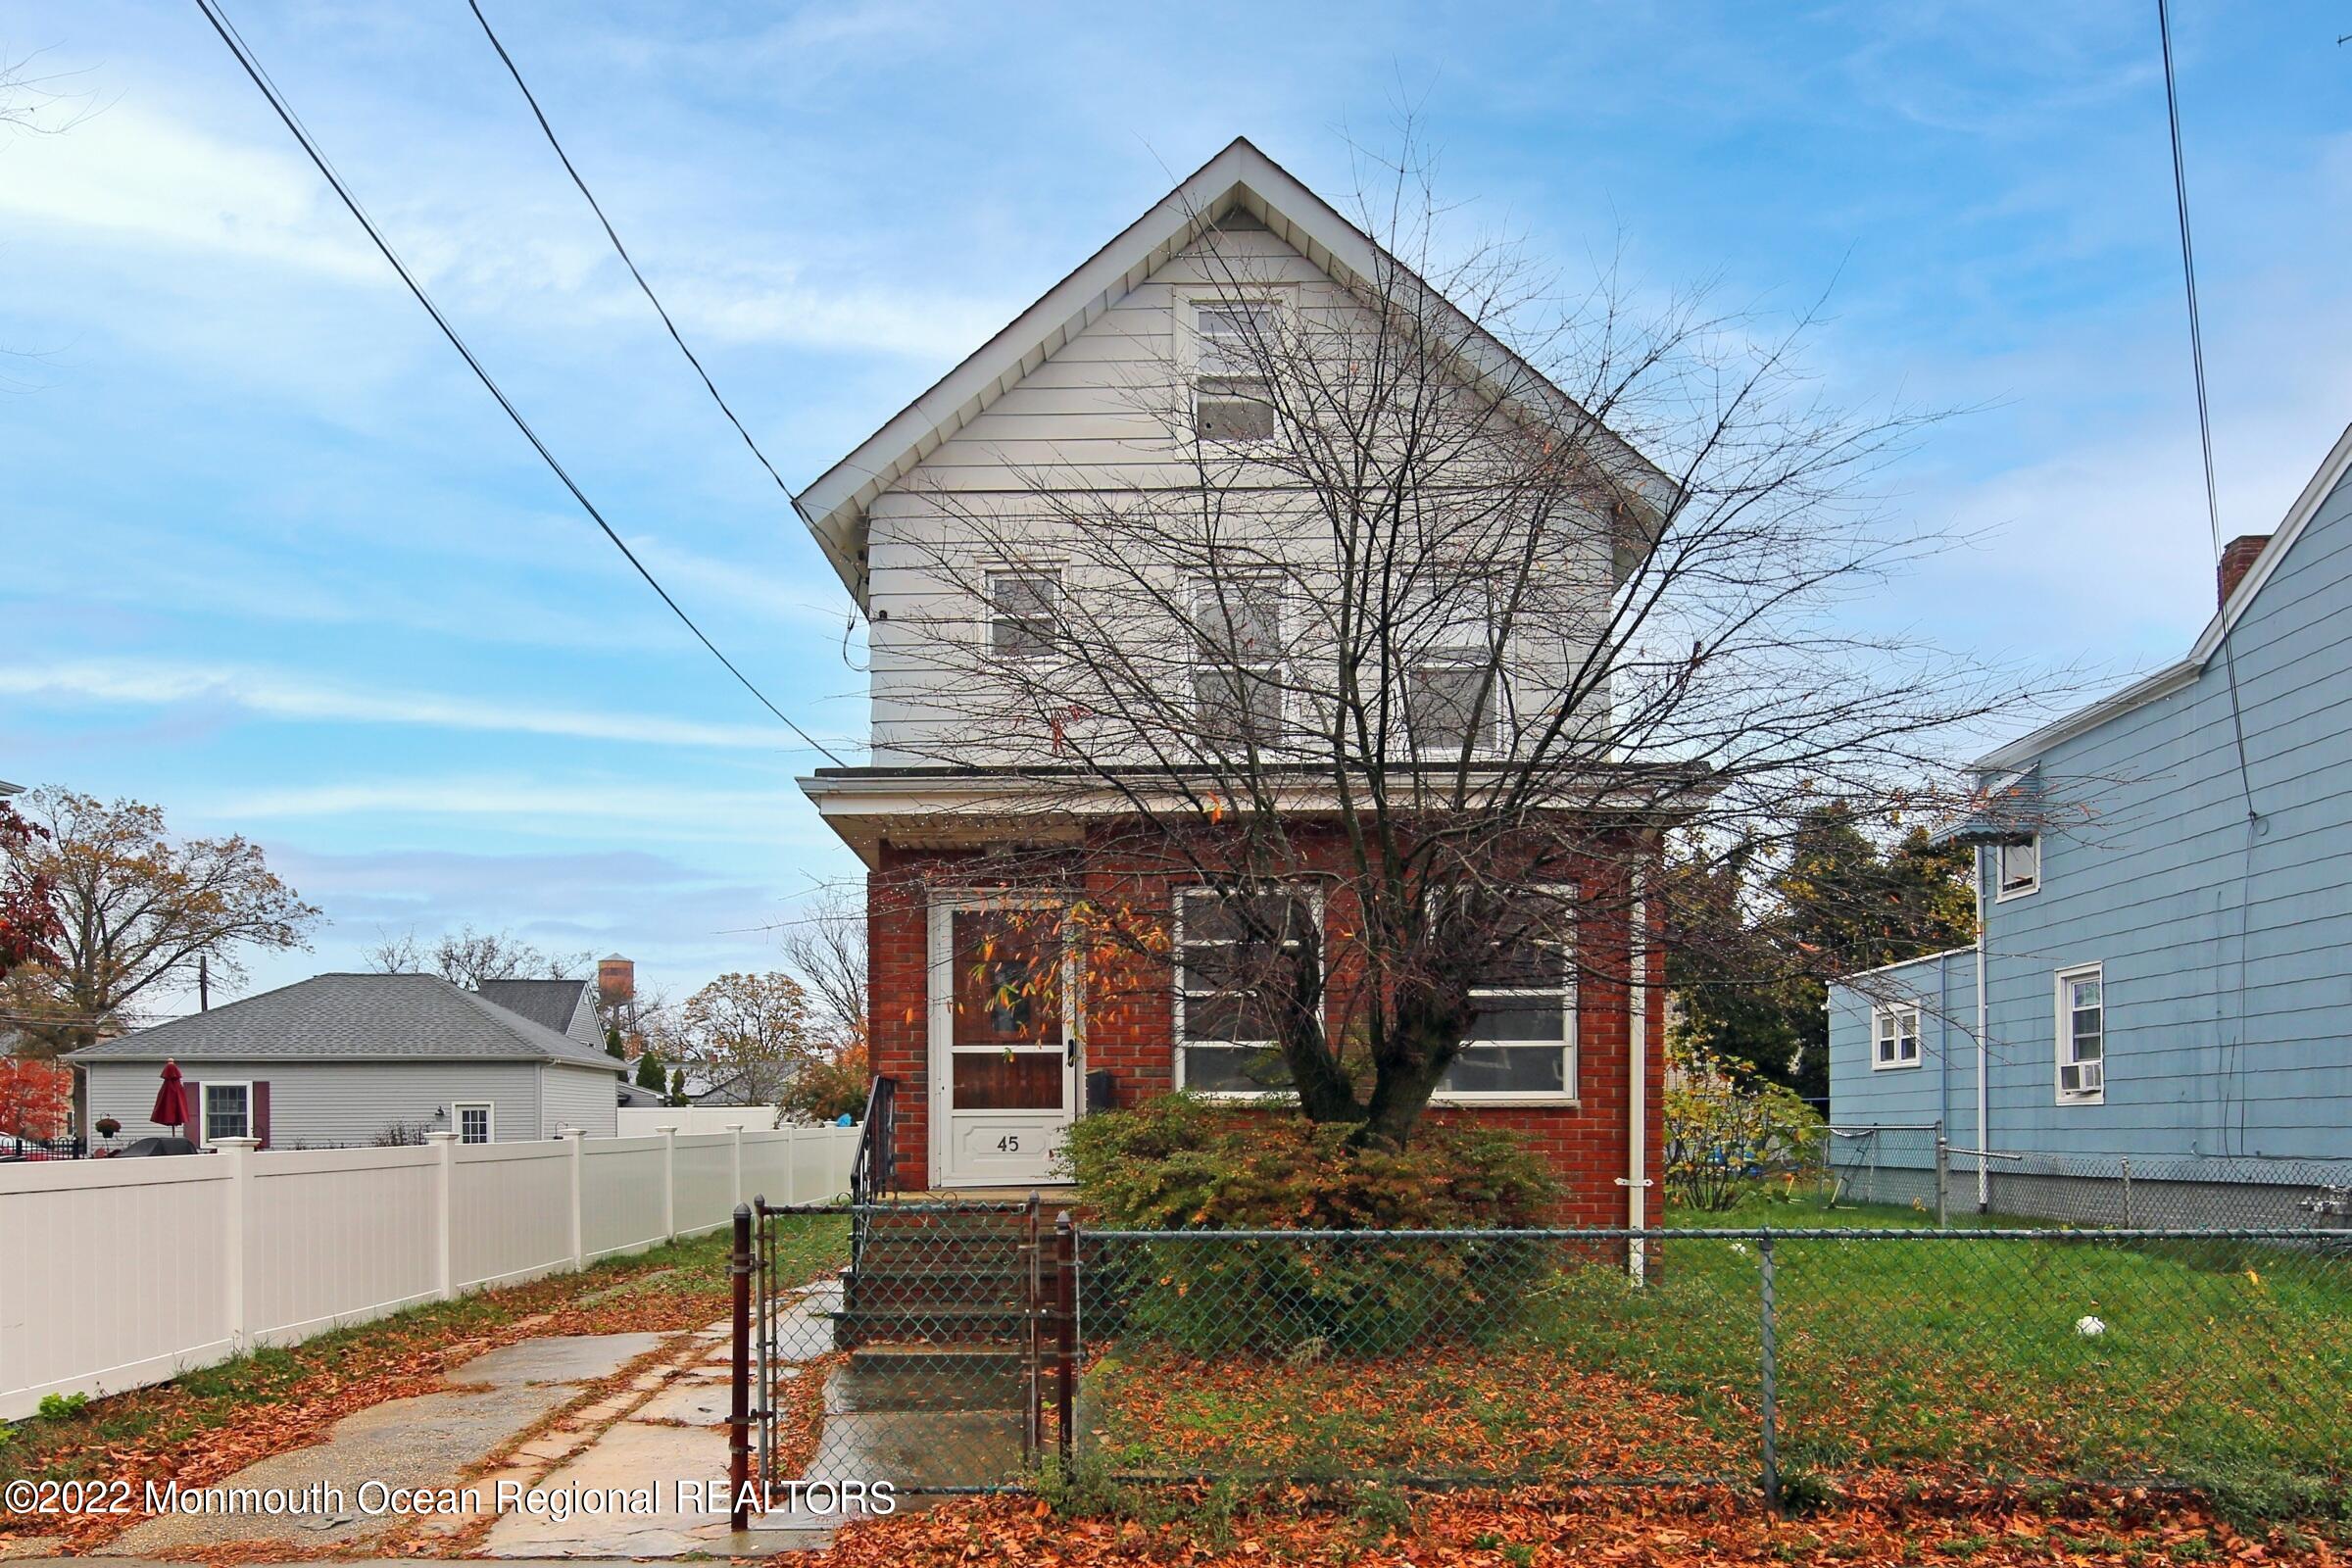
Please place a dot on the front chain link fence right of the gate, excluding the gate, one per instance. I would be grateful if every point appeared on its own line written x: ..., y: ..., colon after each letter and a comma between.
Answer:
x: 1732, y: 1358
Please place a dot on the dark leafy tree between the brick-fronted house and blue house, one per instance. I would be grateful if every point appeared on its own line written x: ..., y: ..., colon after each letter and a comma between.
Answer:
x: 1763, y: 937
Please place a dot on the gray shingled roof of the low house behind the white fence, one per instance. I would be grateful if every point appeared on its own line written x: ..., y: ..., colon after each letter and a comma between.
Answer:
x: 361, y: 1019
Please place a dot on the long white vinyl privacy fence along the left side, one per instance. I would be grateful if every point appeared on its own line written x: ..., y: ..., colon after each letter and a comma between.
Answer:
x: 119, y: 1273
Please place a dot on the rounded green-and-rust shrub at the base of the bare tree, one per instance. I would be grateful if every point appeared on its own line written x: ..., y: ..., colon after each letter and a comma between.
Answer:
x: 1184, y: 1165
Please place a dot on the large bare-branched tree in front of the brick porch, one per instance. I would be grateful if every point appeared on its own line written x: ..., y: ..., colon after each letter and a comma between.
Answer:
x: 1417, y: 608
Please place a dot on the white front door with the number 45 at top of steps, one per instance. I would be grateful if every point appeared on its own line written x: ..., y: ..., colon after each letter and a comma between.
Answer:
x: 1003, y: 1043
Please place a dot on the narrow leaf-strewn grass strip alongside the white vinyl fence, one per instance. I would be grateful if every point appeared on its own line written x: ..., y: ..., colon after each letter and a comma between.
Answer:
x: 671, y: 1287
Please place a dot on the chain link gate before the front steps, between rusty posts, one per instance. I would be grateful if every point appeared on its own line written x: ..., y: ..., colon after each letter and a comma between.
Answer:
x: 940, y: 1360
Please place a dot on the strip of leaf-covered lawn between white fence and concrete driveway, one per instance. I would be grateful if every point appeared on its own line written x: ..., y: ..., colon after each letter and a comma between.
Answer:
x: 220, y: 1419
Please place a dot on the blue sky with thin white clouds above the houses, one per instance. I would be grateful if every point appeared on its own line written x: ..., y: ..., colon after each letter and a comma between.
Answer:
x: 274, y: 561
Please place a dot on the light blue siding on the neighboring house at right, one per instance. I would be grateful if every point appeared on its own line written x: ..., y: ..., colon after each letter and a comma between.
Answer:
x: 2224, y: 949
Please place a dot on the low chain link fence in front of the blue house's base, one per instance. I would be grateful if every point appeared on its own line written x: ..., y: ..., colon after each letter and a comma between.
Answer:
x: 1913, y: 1167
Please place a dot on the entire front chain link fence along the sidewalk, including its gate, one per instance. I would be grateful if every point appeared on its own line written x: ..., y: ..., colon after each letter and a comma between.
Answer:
x: 968, y: 1343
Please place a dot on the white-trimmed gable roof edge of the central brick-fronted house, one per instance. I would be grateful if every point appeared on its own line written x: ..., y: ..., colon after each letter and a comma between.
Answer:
x: 1245, y: 180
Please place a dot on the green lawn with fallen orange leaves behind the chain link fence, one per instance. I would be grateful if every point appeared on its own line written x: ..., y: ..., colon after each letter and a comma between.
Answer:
x: 2217, y: 1365
